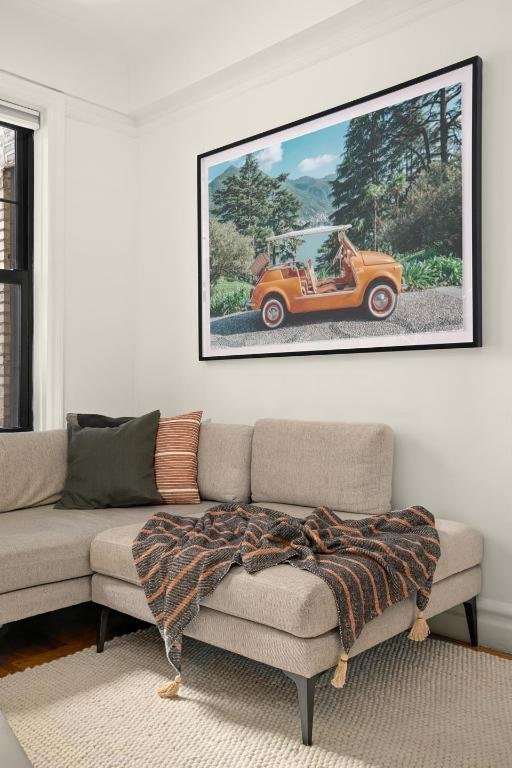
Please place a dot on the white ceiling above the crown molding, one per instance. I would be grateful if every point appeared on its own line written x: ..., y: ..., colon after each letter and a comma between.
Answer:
x: 129, y: 54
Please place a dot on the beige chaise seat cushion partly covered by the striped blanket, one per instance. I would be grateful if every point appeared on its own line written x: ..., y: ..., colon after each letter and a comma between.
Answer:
x: 283, y: 597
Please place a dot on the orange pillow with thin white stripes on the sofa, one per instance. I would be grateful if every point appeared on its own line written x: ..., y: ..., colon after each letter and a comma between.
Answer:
x: 176, y: 458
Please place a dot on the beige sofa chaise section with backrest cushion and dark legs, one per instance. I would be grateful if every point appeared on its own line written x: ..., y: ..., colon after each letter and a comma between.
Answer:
x: 285, y: 617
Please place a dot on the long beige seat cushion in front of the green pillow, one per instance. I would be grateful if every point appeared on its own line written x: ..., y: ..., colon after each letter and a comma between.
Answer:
x: 43, y: 544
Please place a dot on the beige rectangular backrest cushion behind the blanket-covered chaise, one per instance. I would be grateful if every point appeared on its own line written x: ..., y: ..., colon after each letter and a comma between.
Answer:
x: 344, y: 466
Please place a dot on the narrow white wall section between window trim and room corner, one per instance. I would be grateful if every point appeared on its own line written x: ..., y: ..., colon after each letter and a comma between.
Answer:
x: 100, y: 229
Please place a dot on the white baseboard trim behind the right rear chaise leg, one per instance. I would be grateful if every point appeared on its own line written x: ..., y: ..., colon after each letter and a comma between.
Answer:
x: 494, y: 624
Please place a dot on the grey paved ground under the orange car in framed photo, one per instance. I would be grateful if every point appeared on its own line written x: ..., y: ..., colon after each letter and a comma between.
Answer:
x: 435, y: 309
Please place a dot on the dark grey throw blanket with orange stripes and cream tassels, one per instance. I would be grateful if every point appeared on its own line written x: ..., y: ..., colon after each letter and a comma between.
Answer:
x: 369, y: 564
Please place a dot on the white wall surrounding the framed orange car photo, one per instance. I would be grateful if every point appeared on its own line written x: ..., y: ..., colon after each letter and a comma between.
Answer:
x: 451, y: 410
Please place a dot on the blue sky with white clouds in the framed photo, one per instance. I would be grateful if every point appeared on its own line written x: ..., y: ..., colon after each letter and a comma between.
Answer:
x: 314, y: 154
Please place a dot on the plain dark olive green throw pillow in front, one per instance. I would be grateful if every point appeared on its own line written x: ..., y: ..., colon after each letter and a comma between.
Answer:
x: 112, y: 466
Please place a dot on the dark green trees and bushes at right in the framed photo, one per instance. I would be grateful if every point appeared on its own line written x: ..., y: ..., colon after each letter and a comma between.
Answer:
x: 391, y: 157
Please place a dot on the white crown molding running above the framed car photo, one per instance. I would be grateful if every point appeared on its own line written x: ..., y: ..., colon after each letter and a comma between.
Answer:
x: 348, y: 29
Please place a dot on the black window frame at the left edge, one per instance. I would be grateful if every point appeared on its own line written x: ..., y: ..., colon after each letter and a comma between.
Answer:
x: 23, y: 273
